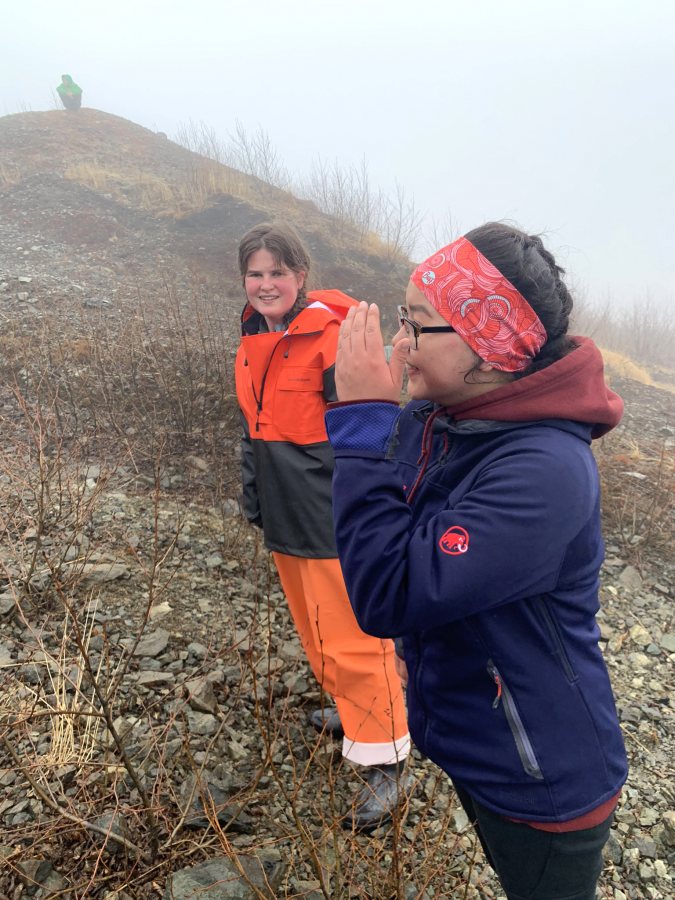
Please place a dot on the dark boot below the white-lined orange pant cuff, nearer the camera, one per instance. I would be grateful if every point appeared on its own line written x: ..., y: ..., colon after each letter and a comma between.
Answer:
x: 385, y: 788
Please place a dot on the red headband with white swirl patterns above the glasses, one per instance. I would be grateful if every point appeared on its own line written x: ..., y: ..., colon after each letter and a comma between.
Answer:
x: 483, y: 307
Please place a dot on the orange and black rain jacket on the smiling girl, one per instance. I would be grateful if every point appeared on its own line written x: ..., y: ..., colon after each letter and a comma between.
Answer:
x: 284, y: 381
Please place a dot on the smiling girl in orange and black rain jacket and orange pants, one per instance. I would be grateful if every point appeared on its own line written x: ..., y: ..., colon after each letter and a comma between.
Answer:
x: 285, y: 378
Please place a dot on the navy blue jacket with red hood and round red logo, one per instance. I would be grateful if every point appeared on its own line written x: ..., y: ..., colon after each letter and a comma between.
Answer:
x: 474, y: 535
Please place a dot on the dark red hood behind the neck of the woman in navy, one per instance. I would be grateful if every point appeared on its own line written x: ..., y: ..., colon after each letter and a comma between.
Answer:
x: 573, y: 388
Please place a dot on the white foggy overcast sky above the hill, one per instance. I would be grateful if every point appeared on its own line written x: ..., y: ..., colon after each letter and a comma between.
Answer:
x: 558, y: 116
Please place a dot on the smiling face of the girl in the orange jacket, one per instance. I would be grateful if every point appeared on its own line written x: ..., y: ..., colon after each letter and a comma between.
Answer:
x: 271, y: 287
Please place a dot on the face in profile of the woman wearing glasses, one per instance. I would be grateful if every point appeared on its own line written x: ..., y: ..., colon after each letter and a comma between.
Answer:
x: 438, y: 369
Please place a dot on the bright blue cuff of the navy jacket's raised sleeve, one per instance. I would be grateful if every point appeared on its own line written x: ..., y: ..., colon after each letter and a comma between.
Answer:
x: 361, y: 426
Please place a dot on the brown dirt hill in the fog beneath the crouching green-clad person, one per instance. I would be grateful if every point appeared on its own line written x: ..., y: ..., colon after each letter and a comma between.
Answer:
x: 89, y: 190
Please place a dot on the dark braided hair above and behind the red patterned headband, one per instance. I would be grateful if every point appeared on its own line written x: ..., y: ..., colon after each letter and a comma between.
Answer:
x: 530, y: 267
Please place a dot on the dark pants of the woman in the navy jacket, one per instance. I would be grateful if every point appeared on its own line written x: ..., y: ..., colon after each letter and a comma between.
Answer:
x: 539, y: 865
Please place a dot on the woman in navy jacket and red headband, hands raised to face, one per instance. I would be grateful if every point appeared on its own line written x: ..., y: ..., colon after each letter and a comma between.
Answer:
x: 468, y: 527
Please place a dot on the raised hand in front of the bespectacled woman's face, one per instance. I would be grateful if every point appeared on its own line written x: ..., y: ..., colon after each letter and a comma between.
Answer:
x: 361, y: 368
